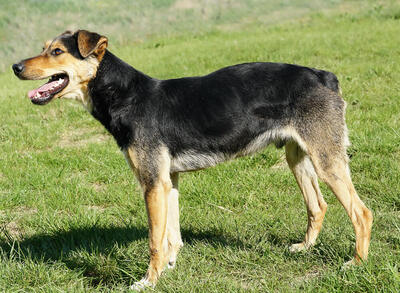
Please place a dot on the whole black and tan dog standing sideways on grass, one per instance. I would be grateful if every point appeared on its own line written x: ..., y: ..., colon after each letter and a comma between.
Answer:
x: 164, y: 127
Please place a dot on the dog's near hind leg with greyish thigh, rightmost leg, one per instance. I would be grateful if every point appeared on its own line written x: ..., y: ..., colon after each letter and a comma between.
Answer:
x: 322, y: 134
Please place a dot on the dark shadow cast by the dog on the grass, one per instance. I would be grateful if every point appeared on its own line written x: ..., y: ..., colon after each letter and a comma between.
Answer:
x: 100, y: 253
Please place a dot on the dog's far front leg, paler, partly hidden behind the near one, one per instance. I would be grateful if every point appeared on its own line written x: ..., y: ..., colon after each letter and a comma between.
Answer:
x: 173, y: 228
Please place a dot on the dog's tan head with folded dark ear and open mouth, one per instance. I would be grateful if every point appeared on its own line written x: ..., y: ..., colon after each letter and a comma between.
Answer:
x: 70, y: 61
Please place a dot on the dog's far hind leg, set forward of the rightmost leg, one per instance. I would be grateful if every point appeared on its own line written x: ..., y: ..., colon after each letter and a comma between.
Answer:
x: 303, y: 170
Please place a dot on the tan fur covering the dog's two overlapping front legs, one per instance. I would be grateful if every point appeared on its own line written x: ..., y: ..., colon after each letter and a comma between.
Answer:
x: 162, y: 208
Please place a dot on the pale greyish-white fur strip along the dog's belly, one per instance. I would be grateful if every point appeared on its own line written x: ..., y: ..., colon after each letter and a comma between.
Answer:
x: 191, y: 160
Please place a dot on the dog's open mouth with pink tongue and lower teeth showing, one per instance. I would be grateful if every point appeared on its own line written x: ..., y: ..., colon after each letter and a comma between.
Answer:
x: 46, y: 92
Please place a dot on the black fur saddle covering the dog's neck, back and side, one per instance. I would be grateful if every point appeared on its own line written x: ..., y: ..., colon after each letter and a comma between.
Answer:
x: 217, y: 113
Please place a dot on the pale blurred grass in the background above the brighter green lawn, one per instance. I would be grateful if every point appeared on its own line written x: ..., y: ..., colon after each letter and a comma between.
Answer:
x: 26, y: 24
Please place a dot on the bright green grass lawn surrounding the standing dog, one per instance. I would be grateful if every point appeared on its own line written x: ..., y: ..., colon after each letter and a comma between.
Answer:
x: 72, y: 217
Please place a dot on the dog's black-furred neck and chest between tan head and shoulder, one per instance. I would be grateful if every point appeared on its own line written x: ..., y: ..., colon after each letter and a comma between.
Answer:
x: 118, y: 96
